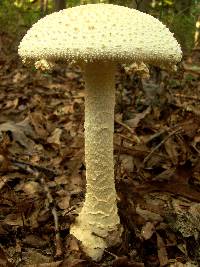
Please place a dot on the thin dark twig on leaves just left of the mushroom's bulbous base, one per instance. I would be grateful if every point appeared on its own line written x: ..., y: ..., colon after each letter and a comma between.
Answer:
x: 55, y: 216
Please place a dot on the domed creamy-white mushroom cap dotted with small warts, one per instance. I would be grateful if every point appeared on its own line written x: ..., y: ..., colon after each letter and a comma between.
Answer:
x: 100, y: 32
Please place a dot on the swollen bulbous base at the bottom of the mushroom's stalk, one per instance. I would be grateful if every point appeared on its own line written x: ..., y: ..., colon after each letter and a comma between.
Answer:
x: 94, y: 242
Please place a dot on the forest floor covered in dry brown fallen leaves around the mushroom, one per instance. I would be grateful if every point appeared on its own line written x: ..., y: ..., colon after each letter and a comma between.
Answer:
x: 42, y: 169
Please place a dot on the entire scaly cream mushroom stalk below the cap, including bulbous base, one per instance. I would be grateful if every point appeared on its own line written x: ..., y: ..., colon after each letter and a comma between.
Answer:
x: 98, y: 225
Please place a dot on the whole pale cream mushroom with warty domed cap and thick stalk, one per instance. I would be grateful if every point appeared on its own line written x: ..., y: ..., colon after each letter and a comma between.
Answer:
x: 97, y: 37
